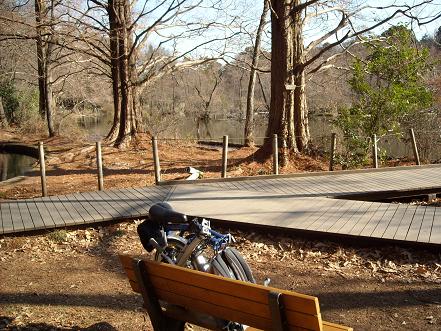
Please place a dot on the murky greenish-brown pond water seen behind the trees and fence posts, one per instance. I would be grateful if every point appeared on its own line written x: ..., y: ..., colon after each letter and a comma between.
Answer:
x: 214, y: 128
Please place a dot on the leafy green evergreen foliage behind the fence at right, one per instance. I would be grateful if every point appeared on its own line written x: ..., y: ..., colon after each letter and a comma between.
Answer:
x: 388, y: 87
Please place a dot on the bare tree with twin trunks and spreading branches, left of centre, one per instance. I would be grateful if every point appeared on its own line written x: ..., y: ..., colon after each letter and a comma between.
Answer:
x: 123, y: 43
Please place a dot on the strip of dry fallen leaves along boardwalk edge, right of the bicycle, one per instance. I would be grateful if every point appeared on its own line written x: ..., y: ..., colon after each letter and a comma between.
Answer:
x: 382, y: 264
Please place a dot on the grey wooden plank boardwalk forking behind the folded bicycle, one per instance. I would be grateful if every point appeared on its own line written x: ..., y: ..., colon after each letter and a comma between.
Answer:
x: 304, y: 202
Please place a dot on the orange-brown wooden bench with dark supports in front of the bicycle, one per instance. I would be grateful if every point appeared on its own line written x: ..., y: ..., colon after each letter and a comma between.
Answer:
x: 175, y: 295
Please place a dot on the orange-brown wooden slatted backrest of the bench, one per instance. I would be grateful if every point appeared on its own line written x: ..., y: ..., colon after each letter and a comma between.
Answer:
x: 225, y: 298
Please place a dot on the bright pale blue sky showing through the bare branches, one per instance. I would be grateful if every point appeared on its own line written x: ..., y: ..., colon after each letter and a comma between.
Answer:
x: 246, y: 13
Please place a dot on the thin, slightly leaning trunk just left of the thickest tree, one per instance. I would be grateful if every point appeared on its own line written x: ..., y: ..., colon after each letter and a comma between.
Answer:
x: 249, y: 118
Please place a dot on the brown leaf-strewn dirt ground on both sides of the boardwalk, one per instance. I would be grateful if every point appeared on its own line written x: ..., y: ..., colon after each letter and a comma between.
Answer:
x: 71, y: 279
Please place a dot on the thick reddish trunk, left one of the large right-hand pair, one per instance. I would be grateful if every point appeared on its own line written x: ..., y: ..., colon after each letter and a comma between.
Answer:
x: 281, y: 118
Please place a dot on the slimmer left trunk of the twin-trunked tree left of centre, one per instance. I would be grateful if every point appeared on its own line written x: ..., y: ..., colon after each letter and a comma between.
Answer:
x: 114, y: 27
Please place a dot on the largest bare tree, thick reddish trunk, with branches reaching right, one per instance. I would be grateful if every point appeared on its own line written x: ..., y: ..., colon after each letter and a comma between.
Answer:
x: 338, y: 24
